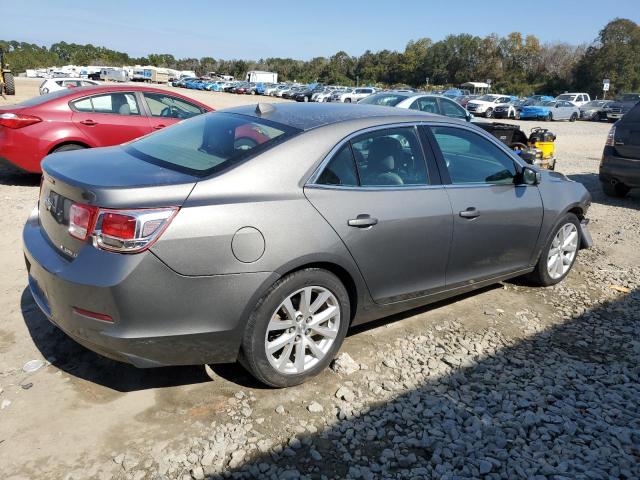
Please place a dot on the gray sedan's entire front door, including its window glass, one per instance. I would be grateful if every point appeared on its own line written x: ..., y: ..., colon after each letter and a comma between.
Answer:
x: 496, y: 222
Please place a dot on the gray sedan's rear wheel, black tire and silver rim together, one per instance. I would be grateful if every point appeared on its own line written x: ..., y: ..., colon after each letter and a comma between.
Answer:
x: 297, y: 328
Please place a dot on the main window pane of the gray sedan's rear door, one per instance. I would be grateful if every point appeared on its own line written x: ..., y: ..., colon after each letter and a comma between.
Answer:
x: 390, y: 157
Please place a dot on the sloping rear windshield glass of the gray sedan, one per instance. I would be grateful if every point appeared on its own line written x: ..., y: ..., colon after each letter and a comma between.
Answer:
x: 209, y: 143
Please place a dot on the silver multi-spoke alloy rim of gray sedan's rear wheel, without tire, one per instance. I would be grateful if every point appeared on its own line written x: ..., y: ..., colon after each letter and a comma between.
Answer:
x: 302, y: 330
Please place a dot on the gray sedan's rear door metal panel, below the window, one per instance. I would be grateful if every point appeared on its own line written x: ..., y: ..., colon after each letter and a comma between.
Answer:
x: 404, y: 255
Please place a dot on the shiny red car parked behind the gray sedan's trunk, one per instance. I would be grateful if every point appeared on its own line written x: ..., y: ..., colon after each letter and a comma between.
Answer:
x: 87, y: 117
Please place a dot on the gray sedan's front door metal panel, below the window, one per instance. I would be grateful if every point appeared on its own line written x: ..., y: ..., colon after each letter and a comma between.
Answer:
x: 501, y: 238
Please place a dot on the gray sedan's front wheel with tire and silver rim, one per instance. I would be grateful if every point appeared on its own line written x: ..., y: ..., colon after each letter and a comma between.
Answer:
x: 559, y: 254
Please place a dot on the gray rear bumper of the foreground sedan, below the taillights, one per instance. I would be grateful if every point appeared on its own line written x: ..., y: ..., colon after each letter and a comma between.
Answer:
x: 160, y: 318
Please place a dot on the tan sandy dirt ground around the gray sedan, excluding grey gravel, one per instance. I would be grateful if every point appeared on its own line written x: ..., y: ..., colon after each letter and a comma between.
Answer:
x: 79, y: 411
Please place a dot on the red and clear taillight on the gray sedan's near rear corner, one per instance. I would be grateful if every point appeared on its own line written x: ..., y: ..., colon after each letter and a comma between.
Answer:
x: 125, y: 231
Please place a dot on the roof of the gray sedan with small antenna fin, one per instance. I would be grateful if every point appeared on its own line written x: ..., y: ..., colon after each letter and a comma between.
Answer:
x: 306, y: 116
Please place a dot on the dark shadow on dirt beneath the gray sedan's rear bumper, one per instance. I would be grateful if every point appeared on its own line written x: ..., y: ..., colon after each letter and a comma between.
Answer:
x: 72, y: 358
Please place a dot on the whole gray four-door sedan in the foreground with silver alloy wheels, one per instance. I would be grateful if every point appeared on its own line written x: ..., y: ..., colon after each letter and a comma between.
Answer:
x: 261, y: 234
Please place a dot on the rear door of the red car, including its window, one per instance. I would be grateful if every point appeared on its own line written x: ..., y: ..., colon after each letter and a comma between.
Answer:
x: 110, y: 119
